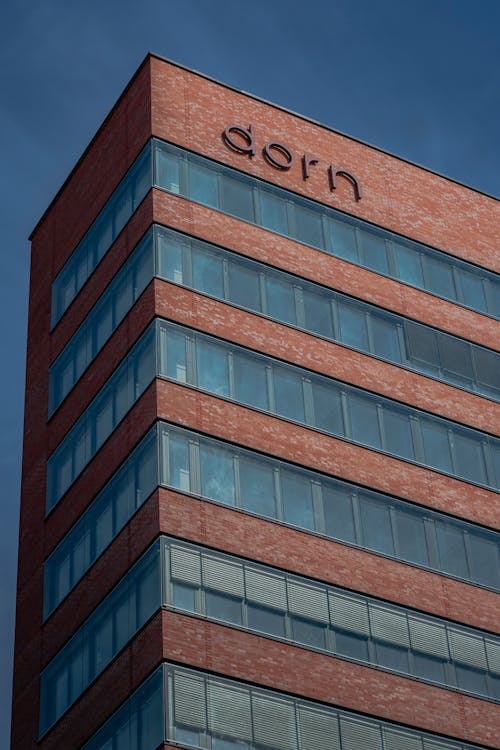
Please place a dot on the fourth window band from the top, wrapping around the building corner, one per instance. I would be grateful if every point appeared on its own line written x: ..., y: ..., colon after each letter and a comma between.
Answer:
x: 273, y: 489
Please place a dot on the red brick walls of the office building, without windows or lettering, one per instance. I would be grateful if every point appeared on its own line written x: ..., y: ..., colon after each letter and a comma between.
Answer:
x: 169, y: 102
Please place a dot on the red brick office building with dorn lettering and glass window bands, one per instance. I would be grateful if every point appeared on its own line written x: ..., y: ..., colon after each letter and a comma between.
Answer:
x: 260, y: 474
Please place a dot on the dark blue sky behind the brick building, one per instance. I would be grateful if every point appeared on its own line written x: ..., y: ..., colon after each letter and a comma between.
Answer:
x: 418, y: 78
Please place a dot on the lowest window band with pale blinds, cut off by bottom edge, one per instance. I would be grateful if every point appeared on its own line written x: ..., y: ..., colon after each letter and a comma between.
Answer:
x: 196, y: 709
